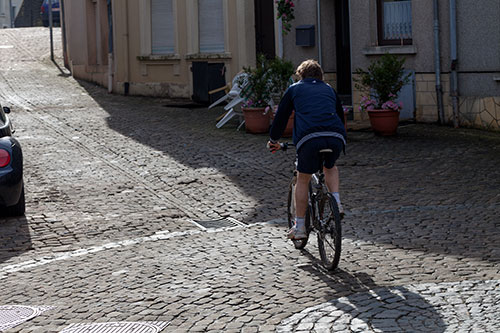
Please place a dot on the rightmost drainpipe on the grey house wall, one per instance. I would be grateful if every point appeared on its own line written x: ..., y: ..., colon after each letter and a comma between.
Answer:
x: 454, y: 61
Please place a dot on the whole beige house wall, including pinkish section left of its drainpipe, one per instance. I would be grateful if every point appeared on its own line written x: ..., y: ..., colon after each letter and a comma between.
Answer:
x: 146, y: 74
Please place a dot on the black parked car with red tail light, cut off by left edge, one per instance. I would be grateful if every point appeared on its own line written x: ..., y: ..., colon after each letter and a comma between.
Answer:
x: 11, y: 169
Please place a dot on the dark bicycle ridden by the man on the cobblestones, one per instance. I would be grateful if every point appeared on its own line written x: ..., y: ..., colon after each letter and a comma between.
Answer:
x: 324, y: 213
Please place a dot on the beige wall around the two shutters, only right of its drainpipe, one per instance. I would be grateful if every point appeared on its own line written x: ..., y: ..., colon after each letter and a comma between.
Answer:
x: 170, y: 75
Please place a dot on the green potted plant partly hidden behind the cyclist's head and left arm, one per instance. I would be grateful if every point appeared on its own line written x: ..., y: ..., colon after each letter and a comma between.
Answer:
x: 281, y: 71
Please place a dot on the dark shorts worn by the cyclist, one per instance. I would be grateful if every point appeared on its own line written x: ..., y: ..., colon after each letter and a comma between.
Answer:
x: 309, y: 159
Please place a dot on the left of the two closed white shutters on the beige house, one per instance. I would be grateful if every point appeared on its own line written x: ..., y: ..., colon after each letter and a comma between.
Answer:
x: 162, y: 27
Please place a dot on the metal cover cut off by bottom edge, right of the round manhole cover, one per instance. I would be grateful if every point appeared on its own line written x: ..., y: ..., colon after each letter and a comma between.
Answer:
x: 117, y: 327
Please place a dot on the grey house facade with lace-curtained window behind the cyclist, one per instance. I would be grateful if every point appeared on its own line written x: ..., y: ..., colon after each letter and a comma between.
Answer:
x: 452, y: 51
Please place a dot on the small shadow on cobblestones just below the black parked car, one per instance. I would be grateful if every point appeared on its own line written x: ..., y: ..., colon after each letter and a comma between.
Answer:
x: 15, y: 237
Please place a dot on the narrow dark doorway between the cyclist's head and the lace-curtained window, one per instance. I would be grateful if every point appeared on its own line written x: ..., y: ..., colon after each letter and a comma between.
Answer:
x: 343, y: 47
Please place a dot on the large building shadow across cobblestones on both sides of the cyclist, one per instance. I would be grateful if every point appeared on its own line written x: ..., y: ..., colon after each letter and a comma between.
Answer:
x: 378, y: 181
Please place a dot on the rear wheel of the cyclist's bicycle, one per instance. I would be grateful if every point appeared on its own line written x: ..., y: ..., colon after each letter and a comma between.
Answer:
x: 330, y: 232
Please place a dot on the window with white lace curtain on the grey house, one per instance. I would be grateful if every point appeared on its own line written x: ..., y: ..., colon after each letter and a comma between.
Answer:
x: 394, y: 22
